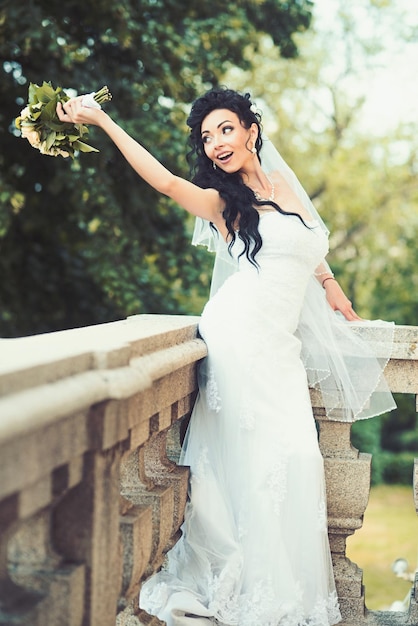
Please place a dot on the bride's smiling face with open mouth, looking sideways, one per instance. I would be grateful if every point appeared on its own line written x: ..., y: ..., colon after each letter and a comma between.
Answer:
x: 227, y: 143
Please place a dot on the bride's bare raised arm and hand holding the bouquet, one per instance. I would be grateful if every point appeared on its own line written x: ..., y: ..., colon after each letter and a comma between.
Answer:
x: 205, y: 203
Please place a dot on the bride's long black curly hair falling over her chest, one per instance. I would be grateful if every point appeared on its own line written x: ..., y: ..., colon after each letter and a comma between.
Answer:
x: 238, y: 197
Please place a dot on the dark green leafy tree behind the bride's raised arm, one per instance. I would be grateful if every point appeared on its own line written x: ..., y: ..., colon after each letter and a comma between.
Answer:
x: 86, y: 241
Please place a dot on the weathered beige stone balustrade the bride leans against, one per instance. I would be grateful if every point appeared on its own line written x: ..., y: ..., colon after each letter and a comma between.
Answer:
x: 90, y: 500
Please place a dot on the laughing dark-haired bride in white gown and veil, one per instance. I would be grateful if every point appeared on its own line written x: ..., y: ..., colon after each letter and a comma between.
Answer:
x: 254, y: 549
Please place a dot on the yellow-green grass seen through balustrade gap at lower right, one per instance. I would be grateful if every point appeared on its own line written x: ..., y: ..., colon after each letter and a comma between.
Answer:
x: 390, y: 531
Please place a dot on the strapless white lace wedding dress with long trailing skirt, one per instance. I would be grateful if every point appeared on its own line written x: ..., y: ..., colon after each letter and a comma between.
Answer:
x: 254, y: 549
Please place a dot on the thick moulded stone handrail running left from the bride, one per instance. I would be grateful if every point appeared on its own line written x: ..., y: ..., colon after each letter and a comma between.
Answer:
x: 111, y: 360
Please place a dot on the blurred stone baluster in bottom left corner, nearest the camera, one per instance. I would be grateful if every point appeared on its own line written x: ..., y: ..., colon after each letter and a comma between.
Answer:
x: 38, y: 585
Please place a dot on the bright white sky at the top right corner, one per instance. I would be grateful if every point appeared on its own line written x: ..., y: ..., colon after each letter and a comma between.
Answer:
x: 391, y: 86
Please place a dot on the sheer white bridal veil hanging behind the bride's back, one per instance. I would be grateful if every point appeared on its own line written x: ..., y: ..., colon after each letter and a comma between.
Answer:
x: 346, y: 368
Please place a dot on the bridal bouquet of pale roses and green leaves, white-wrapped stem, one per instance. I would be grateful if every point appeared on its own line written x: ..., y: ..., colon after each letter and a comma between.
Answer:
x: 38, y: 122
